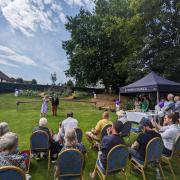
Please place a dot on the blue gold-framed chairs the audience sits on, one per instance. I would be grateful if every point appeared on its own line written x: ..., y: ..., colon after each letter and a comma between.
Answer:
x: 116, y: 160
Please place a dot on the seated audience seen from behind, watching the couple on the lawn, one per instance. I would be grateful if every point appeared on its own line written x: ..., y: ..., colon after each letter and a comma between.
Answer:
x: 66, y: 138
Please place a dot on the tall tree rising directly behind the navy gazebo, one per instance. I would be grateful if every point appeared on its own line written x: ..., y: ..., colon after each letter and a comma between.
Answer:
x: 152, y: 39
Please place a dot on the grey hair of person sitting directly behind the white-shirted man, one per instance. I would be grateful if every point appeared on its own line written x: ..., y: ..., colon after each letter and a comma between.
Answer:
x: 70, y: 137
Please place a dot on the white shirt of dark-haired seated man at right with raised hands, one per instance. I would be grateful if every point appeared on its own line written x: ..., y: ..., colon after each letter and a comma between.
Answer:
x: 169, y: 135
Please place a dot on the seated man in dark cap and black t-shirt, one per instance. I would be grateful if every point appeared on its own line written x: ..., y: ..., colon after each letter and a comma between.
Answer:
x: 138, y: 148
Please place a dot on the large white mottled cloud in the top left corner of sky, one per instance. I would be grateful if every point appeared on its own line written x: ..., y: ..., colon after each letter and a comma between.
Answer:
x: 26, y: 15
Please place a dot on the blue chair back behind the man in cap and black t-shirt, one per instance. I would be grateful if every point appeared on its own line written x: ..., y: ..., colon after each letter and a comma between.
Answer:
x: 154, y: 150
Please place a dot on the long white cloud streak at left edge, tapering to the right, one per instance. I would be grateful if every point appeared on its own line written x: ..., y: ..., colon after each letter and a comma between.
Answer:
x: 7, y: 54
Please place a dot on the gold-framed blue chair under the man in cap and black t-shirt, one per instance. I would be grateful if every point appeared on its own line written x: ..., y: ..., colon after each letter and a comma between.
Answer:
x: 153, y: 155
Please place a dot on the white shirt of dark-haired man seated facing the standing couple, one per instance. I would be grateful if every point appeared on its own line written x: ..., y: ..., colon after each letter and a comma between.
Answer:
x: 69, y: 123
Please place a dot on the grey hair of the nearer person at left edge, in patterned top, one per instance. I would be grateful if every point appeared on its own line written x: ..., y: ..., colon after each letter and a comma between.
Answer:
x: 9, y: 141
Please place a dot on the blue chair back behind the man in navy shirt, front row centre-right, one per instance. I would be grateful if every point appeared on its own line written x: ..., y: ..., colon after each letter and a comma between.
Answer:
x: 117, y: 158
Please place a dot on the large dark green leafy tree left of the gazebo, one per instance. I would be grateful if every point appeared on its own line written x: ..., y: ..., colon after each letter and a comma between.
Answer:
x: 94, y: 47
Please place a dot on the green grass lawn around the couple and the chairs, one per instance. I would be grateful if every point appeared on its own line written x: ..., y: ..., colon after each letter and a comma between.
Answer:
x: 23, y: 121
